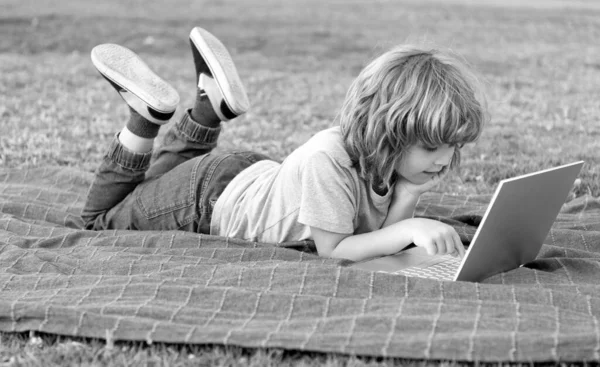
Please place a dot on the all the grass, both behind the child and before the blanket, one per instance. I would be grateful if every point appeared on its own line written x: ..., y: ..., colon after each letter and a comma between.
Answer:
x: 540, y: 65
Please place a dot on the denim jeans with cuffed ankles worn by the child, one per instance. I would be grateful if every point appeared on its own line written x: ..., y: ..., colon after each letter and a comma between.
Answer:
x: 175, y: 190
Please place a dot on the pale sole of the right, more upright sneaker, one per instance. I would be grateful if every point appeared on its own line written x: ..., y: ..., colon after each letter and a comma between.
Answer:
x: 222, y: 69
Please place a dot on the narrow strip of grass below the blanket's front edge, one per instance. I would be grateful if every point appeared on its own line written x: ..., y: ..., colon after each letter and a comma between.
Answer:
x: 49, y: 350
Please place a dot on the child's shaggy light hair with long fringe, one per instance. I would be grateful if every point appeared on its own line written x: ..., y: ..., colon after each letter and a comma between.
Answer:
x: 403, y: 97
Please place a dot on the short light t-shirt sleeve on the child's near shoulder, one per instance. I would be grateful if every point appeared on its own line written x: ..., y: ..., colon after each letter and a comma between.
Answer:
x: 327, y: 200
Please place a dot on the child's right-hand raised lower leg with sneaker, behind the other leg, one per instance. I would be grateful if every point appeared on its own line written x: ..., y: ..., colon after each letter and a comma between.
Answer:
x: 220, y: 96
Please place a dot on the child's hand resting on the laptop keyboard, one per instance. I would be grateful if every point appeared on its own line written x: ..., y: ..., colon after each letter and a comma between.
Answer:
x: 436, y: 237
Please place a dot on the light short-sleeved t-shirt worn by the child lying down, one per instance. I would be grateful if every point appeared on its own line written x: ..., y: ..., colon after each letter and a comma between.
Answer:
x: 316, y: 185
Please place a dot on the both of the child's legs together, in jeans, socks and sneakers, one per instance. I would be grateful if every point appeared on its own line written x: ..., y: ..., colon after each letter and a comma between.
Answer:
x: 122, y: 195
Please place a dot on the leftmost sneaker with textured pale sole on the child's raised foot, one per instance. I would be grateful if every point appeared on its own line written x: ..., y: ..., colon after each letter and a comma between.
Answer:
x: 144, y: 91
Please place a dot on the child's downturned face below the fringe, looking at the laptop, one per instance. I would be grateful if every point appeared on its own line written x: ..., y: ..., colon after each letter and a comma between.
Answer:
x: 421, y: 164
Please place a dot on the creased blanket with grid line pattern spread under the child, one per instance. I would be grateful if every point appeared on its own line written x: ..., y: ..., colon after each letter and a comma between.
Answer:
x: 190, y: 288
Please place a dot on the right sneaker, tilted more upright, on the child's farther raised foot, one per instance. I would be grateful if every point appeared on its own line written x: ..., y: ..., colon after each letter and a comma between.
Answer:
x: 211, y: 58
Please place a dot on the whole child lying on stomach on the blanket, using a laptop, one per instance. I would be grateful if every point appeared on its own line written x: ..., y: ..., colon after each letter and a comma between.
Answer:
x: 352, y: 189
